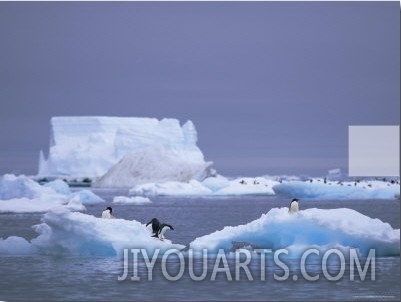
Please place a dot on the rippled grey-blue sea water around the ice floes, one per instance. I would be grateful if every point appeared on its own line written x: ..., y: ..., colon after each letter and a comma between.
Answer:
x: 41, y: 277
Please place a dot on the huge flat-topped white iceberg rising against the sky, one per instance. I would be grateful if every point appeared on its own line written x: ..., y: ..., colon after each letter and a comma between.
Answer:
x: 89, y: 146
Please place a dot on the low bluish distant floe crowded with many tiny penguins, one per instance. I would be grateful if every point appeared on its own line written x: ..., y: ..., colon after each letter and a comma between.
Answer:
x: 338, y: 190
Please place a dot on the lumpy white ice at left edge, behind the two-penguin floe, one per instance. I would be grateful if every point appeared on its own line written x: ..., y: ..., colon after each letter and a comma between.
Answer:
x: 20, y: 194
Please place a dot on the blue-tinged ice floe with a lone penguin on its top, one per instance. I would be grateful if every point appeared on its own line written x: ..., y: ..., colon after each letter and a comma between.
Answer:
x: 324, y: 229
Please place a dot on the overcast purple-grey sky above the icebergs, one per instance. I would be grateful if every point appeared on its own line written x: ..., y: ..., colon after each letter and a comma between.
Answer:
x: 270, y: 86
